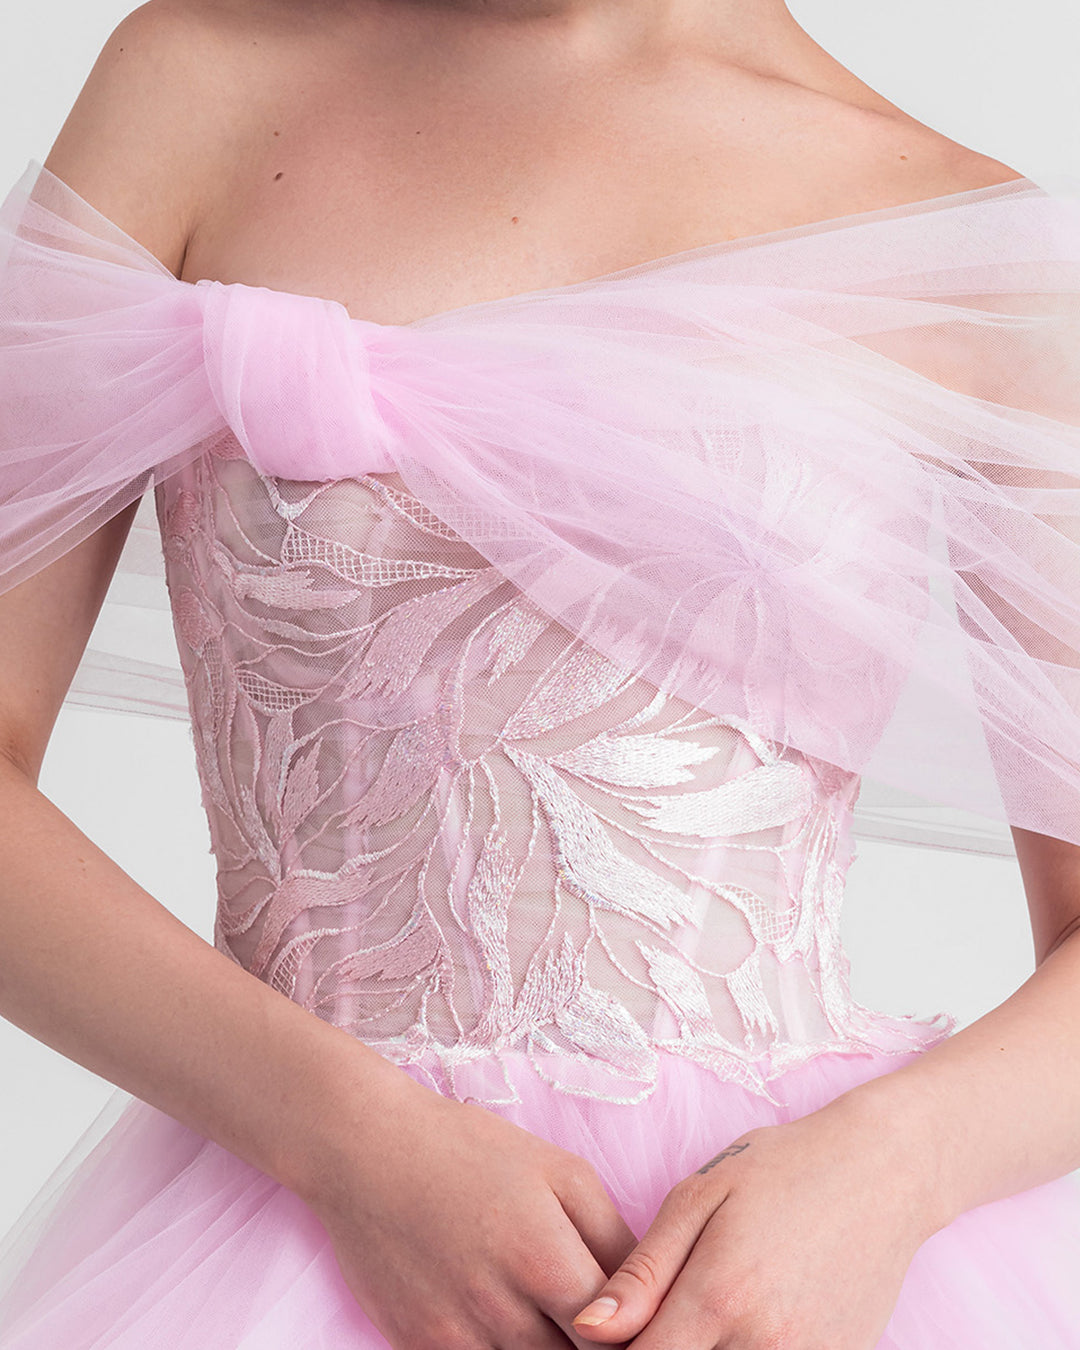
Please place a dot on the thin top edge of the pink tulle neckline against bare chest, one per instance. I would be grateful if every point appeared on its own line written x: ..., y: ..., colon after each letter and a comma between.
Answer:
x: 1019, y: 187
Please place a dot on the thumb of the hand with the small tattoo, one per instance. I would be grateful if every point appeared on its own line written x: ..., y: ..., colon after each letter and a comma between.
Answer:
x: 635, y: 1293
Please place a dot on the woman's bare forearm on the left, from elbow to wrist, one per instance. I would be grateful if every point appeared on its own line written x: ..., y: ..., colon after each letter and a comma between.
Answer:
x: 99, y: 970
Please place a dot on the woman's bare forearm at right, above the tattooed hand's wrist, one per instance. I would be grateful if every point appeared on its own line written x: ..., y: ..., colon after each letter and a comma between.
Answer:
x: 994, y: 1109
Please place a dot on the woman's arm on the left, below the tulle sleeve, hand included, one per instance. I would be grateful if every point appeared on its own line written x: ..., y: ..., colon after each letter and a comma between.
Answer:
x: 450, y: 1224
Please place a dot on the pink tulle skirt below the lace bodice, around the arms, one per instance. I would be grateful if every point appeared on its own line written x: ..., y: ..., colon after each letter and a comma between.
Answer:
x: 163, y: 1237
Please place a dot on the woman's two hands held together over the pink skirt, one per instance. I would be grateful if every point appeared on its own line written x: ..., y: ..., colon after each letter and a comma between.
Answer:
x: 460, y: 1231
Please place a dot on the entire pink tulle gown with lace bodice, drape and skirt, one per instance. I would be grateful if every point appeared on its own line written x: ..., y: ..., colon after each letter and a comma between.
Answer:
x: 535, y: 655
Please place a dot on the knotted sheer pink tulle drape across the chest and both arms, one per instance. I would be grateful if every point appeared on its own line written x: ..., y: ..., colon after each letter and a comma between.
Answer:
x: 827, y: 480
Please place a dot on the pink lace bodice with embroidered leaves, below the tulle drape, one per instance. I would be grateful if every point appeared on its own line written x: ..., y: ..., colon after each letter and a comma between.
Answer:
x: 450, y: 828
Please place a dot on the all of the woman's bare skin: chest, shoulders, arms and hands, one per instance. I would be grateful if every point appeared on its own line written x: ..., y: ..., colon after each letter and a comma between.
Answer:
x: 404, y: 159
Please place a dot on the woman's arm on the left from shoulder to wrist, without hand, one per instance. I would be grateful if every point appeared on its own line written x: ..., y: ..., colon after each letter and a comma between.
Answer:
x: 92, y: 965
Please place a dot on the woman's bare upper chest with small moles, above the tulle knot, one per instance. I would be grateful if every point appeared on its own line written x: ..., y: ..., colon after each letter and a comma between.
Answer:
x: 423, y: 196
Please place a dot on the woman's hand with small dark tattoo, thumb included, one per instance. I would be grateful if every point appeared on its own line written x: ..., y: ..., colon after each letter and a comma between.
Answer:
x: 796, y: 1236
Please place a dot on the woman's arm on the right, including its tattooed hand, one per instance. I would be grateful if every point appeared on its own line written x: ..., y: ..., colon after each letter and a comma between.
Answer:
x: 801, y: 1235
